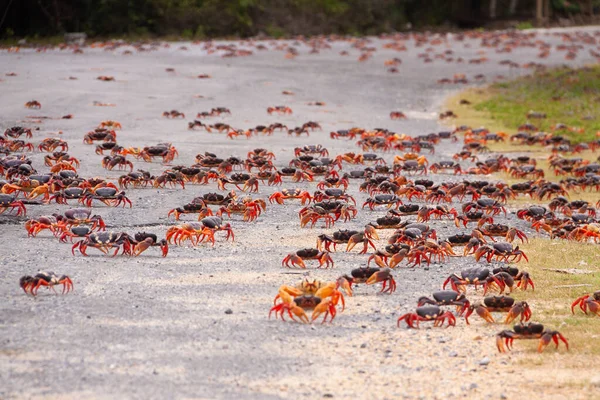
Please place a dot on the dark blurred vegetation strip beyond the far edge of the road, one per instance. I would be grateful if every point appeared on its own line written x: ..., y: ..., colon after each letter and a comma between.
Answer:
x: 199, y: 19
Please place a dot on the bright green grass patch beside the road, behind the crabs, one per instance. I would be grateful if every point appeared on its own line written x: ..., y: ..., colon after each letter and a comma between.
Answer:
x: 565, y: 95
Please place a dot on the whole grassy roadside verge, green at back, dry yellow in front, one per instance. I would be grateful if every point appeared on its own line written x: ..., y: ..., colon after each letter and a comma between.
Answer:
x: 503, y: 107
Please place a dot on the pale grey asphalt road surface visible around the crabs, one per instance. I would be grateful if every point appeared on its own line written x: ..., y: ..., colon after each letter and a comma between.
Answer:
x: 150, y: 327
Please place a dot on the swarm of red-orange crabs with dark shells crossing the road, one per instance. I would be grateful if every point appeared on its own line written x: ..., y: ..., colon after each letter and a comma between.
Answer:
x: 406, y: 193
